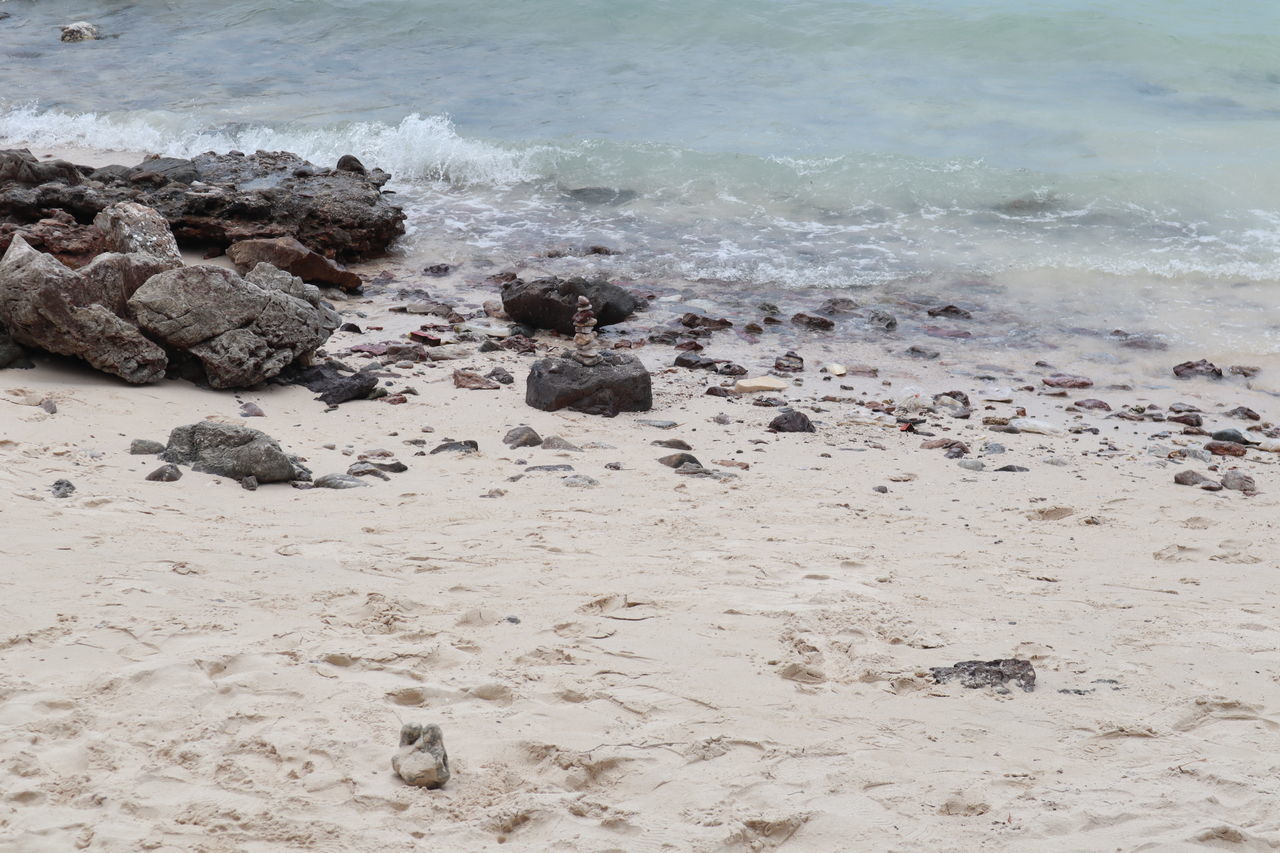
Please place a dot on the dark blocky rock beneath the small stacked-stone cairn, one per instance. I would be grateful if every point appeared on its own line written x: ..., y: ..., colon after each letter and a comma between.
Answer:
x: 618, y: 384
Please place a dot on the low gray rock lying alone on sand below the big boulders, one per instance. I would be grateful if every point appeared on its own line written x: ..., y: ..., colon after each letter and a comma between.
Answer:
x: 232, y: 451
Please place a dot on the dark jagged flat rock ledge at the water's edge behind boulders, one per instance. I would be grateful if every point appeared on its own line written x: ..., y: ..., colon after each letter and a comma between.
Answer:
x: 220, y: 199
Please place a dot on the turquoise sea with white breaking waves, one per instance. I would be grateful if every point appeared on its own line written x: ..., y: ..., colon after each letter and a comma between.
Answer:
x: 779, y: 144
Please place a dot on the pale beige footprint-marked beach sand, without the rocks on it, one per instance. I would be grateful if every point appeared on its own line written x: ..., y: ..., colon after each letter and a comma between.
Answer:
x: 625, y: 667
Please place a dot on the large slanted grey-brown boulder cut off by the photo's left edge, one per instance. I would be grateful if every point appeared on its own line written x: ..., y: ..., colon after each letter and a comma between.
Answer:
x: 81, y: 313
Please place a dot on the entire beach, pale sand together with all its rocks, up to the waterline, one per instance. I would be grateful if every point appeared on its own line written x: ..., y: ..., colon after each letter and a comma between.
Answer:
x: 616, y: 569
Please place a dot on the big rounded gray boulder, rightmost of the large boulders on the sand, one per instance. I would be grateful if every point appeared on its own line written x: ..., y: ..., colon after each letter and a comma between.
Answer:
x: 244, y: 331
